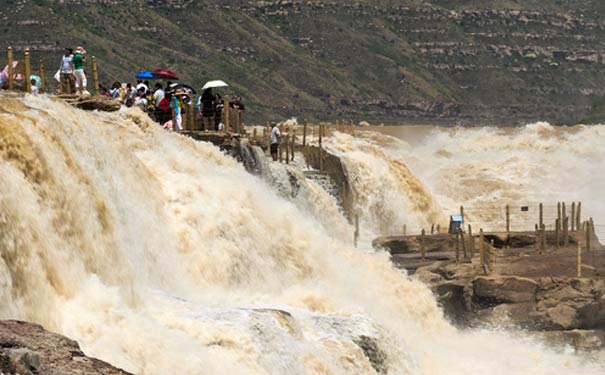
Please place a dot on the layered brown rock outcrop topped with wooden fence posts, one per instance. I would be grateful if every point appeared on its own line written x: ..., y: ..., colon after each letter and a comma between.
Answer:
x: 541, y: 297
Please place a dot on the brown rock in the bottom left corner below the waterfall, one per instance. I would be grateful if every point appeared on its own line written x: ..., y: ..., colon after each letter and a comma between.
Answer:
x: 28, y: 349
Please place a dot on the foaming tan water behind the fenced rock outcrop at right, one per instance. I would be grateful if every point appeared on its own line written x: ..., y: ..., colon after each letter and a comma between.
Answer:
x: 483, y: 169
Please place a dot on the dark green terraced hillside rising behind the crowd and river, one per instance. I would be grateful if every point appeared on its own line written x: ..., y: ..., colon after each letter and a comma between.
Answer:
x: 482, y: 62
